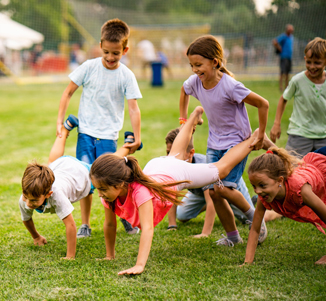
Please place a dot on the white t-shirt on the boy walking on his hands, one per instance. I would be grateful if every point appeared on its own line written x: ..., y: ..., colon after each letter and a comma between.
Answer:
x: 72, y: 183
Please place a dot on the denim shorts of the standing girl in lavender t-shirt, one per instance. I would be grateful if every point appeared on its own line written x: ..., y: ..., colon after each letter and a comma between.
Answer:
x: 234, y: 176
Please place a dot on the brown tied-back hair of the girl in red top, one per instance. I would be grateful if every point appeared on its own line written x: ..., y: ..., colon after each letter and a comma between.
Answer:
x: 278, y: 164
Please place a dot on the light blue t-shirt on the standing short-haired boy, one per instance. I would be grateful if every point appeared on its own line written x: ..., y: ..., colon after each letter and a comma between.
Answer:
x: 101, y: 108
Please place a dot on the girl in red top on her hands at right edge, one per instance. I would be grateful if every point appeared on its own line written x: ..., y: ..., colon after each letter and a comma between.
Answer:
x: 295, y: 189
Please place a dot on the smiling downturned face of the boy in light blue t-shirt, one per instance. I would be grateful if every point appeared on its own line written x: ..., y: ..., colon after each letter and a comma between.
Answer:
x: 111, y: 54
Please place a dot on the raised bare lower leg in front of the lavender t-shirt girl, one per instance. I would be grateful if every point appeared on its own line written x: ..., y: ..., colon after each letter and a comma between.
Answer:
x: 182, y: 140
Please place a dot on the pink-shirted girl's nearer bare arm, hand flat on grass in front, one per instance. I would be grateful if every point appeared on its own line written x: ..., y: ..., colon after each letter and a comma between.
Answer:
x: 146, y: 237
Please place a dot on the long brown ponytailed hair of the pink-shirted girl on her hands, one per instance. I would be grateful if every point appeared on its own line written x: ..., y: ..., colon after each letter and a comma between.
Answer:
x: 112, y: 170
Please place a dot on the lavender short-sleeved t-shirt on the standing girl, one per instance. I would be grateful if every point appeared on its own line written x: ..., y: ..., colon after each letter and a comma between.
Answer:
x: 225, y: 110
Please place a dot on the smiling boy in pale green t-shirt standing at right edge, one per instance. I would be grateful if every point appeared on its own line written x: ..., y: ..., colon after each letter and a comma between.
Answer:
x: 307, y: 128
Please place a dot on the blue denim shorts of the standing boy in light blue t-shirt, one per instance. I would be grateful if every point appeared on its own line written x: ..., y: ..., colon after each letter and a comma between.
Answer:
x: 90, y: 148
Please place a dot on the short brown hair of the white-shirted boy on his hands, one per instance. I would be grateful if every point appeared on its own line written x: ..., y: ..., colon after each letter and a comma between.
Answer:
x: 37, y: 180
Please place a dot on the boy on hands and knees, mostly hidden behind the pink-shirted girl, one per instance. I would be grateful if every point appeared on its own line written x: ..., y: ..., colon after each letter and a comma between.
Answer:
x: 198, y: 200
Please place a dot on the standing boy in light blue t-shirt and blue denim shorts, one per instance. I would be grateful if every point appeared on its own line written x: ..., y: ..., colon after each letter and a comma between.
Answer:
x: 105, y: 83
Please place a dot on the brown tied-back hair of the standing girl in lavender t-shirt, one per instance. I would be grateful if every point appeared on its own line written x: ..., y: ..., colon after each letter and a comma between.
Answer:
x: 209, y: 48
